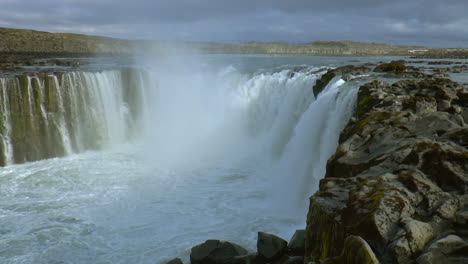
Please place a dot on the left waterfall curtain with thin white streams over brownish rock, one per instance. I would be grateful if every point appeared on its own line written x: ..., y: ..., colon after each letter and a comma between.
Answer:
x: 52, y: 115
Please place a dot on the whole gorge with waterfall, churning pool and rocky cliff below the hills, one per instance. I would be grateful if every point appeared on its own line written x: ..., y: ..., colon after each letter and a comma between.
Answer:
x: 138, y: 161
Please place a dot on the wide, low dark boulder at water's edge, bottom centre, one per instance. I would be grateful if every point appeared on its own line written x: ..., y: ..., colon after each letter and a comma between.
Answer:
x: 215, y: 251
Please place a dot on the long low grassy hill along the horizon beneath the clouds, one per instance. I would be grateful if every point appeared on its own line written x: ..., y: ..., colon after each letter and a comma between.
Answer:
x: 40, y: 43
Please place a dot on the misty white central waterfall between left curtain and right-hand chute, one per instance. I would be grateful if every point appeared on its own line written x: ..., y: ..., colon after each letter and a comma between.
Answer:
x: 209, y: 118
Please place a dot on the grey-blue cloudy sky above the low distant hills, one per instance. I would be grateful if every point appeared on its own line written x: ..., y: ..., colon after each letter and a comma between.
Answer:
x: 421, y: 22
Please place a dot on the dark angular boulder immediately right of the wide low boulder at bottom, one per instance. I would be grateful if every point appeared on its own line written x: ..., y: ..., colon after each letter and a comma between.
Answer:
x: 271, y: 247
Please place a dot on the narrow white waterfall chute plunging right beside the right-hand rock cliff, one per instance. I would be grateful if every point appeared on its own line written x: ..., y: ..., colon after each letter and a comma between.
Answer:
x: 315, y: 139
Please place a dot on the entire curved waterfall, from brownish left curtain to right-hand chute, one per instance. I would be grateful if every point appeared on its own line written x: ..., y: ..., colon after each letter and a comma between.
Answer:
x: 269, y: 118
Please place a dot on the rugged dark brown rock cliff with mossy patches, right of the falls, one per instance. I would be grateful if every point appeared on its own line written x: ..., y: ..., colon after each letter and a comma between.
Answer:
x: 398, y: 180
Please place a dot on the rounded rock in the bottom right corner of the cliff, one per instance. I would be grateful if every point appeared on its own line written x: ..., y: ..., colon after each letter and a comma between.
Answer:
x: 449, y: 250
